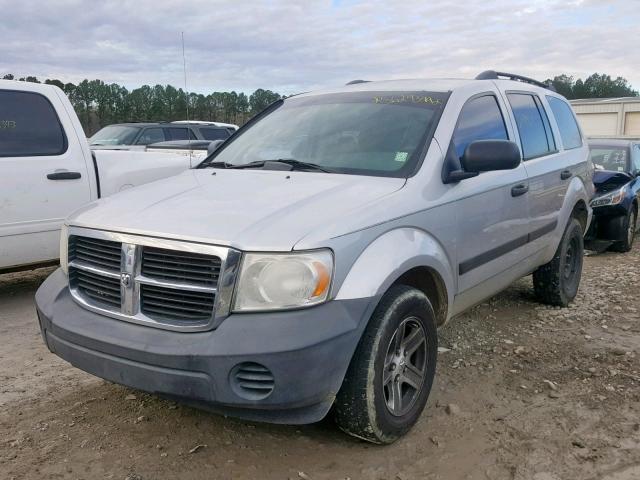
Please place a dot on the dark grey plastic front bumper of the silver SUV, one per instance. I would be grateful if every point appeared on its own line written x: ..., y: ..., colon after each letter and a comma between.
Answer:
x: 307, y: 352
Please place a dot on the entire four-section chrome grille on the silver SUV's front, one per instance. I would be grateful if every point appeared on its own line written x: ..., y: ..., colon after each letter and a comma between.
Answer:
x: 162, y: 283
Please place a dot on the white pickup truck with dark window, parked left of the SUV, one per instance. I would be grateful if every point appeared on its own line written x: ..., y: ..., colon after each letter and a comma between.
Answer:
x: 47, y: 171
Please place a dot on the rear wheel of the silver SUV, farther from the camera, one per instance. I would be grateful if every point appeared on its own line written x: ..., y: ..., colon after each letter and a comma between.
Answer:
x: 556, y: 283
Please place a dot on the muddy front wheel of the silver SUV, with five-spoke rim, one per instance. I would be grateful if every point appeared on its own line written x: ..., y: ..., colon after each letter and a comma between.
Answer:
x: 365, y: 402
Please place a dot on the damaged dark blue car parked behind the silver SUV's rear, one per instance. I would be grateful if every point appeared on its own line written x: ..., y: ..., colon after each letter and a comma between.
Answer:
x: 615, y: 204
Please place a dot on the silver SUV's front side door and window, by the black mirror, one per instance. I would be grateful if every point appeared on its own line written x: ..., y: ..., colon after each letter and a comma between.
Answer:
x: 492, y: 210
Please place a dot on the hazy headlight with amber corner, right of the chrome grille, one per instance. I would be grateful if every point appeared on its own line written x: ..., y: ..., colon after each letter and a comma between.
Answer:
x: 277, y: 281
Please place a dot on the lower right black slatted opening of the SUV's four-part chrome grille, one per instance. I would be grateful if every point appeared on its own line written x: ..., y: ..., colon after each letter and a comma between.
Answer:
x: 169, y: 303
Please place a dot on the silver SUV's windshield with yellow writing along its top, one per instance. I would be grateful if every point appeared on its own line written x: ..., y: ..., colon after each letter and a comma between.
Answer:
x: 365, y: 133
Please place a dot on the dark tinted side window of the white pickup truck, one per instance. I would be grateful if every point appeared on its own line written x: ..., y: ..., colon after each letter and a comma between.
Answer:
x: 29, y: 126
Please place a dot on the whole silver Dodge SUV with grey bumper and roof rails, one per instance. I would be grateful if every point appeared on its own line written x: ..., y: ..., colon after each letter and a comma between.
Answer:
x: 308, y: 262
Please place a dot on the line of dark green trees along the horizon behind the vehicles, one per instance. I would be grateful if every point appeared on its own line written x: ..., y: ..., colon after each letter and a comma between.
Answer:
x: 98, y: 103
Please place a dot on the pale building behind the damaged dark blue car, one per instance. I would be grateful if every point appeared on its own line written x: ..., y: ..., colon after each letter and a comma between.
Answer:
x: 609, y: 117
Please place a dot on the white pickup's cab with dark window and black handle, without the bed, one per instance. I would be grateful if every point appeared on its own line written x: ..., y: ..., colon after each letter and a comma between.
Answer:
x: 43, y: 173
